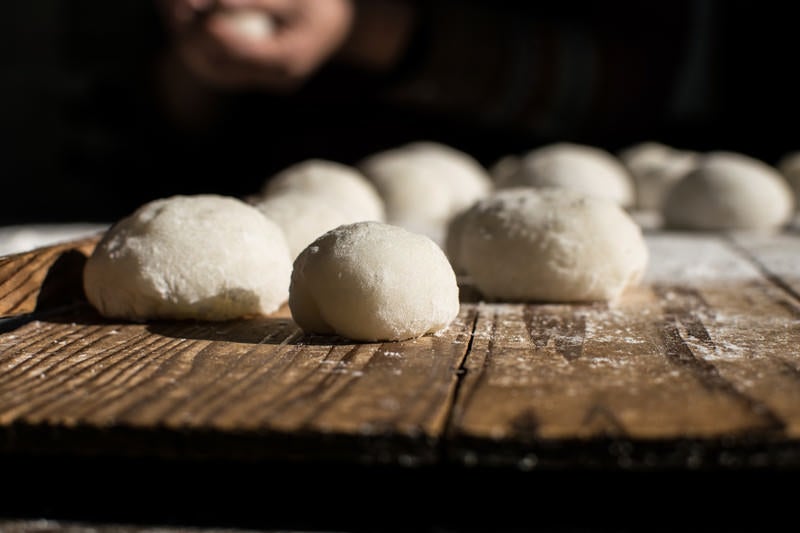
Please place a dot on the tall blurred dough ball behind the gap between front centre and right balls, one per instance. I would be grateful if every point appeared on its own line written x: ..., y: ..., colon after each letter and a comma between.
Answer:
x: 425, y: 183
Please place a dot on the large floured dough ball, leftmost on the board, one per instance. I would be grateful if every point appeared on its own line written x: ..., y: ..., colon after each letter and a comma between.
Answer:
x: 203, y: 257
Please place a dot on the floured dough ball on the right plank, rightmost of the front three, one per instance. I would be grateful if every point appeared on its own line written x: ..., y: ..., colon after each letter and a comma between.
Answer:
x: 552, y: 245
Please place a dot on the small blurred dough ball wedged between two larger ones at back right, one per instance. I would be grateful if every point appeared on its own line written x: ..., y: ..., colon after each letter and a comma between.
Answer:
x: 655, y: 168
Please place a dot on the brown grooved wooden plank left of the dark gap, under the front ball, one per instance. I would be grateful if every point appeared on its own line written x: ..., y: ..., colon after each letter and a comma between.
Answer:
x: 252, y: 387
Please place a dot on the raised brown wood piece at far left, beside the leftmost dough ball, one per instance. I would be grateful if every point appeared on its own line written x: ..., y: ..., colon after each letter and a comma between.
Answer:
x: 43, y: 278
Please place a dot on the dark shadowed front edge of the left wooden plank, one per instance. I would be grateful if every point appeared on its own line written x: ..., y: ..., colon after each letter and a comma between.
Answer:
x: 386, y: 448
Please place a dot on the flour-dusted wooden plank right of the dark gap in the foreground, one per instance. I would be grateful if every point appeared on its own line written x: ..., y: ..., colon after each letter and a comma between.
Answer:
x: 702, y: 355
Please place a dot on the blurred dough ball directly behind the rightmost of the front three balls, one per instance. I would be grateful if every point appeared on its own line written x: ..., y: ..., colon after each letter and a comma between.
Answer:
x: 586, y: 169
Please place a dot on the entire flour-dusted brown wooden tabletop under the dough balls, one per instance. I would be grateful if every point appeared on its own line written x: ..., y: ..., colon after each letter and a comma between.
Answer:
x: 698, y: 366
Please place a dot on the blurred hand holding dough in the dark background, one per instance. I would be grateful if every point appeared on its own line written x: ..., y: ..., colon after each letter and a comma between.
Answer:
x: 278, y: 52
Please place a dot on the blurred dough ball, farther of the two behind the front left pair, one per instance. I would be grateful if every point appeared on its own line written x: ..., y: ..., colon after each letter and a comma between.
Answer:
x: 339, y: 185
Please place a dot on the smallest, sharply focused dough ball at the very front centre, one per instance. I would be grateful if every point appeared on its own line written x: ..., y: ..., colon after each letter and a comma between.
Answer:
x: 371, y: 281
